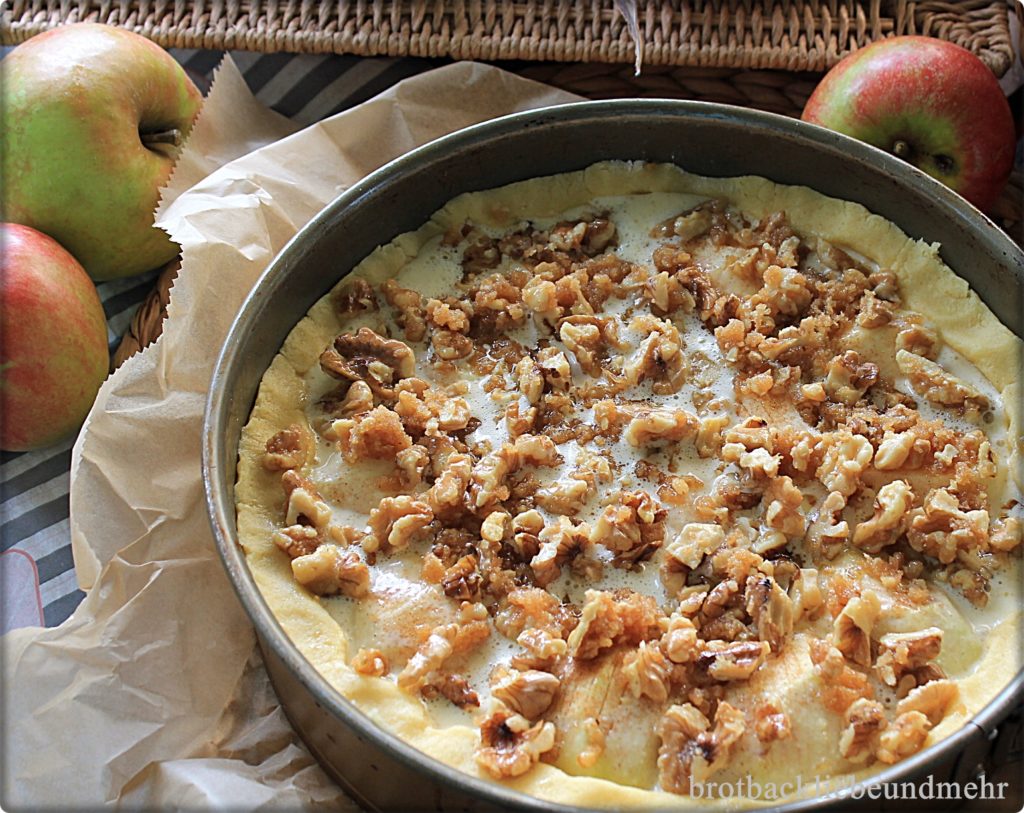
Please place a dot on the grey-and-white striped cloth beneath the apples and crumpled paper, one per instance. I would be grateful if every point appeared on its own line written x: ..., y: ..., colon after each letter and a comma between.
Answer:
x: 37, y: 575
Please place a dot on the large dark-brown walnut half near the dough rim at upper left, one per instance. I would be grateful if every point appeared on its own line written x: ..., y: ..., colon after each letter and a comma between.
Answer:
x: 369, y: 358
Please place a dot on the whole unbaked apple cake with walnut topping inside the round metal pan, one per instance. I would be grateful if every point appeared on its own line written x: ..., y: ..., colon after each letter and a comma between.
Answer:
x: 616, y: 485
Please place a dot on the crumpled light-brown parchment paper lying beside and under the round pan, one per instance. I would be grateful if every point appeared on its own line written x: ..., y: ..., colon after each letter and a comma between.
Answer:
x: 153, y: 694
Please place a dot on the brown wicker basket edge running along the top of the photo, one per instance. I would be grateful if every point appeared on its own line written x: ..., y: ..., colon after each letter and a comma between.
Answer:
x: 794, y: 35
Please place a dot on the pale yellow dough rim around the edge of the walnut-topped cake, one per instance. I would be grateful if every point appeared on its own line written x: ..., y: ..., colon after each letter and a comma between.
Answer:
x: 928, y: 286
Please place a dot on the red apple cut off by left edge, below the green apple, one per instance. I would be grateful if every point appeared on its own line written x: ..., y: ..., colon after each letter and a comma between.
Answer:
x: 54, y: 353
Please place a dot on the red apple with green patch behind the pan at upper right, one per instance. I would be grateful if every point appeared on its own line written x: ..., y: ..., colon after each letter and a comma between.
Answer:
x: 929, y: 102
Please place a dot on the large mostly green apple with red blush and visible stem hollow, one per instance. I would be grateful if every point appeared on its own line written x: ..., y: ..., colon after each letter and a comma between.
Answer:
x: 93, y: 116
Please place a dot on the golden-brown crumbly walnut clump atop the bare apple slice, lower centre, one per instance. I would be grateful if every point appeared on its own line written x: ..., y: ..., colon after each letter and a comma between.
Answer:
x: 610, y: 619
